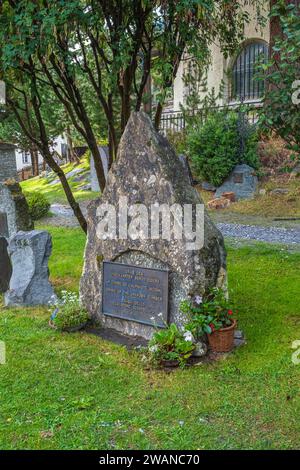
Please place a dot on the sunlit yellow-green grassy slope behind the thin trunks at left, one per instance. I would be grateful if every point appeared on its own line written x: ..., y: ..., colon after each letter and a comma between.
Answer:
x: 55, y: 193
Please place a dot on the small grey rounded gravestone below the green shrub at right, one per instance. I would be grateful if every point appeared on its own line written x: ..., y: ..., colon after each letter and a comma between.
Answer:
x: 242, y: 181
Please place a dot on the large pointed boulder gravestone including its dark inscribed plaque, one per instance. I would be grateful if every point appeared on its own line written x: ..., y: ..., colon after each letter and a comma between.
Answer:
x: 132, y: 284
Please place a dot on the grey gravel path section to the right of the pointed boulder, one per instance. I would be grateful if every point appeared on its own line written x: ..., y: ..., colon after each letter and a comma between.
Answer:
x: 264, y: 234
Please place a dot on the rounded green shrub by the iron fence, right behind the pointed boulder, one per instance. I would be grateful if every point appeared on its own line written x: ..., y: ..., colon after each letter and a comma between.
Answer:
x: 214, y: 147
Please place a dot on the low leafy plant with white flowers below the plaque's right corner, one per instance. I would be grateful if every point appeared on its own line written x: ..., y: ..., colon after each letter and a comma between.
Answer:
x: 170, y: 347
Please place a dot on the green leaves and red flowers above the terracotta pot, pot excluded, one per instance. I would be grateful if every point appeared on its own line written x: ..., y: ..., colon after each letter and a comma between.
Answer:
x: 208, y: 314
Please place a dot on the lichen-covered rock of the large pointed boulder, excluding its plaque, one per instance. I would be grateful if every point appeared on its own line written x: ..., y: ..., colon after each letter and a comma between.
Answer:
x: 147, y: 171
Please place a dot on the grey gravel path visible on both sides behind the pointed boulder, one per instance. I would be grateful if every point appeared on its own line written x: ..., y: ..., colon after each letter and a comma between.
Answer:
x: 63, y: 215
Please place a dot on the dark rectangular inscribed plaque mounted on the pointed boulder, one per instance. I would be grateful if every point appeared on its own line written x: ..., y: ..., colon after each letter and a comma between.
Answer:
x: 135, y: 293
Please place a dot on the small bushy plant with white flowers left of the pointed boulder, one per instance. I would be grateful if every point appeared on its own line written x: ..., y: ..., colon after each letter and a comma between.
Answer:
x: 69, y: 315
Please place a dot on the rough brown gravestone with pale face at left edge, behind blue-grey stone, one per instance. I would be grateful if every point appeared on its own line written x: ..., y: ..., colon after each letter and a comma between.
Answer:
x: 14, y: 208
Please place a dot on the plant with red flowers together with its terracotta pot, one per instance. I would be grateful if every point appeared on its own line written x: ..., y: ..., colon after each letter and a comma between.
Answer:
x: 212, y: 316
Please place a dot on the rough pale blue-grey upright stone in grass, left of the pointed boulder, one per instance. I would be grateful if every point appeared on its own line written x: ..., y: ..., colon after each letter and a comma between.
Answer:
x: 29, y: 284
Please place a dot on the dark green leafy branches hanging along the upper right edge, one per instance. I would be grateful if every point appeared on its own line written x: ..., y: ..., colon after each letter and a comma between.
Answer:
x: 280, y: 113
